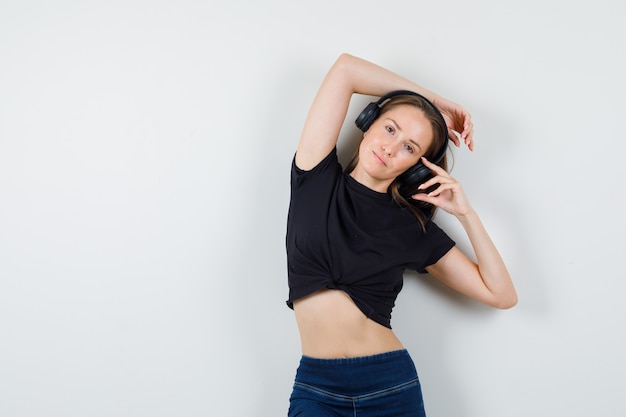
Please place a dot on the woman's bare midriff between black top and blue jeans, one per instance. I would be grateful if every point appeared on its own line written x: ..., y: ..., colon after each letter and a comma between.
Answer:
x: 332, y: 326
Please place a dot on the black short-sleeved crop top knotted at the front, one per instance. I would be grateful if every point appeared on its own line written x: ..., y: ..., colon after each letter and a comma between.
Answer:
x: 343, y: 235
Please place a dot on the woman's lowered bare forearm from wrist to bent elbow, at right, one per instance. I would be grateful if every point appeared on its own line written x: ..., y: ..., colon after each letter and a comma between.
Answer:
x: 491, y: 267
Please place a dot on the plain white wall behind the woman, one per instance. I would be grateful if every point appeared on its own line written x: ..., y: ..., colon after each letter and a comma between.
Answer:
x: 145, y: 149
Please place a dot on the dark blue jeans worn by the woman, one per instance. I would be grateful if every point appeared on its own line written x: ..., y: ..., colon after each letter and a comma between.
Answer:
x: 382, y: 385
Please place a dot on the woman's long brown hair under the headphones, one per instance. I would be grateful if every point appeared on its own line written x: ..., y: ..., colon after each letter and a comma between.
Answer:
x: 422, y: 211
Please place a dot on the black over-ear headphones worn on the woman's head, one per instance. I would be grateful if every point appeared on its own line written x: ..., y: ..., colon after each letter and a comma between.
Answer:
x: 413, y: 177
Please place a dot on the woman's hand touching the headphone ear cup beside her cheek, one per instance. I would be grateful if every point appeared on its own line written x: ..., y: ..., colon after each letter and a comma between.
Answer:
x: 449, y: 196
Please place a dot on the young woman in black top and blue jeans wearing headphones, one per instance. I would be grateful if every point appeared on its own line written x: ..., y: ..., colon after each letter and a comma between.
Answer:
x: 352, y: 233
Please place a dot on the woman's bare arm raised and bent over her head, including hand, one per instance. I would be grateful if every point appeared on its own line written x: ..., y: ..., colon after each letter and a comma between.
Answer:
x: 350, y: 75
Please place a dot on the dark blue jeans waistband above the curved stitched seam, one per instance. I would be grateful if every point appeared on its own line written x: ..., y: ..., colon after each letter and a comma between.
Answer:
x: 358, y: 375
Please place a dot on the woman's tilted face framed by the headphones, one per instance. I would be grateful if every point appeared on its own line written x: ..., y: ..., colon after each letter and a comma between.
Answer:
x: 394, y: 143
